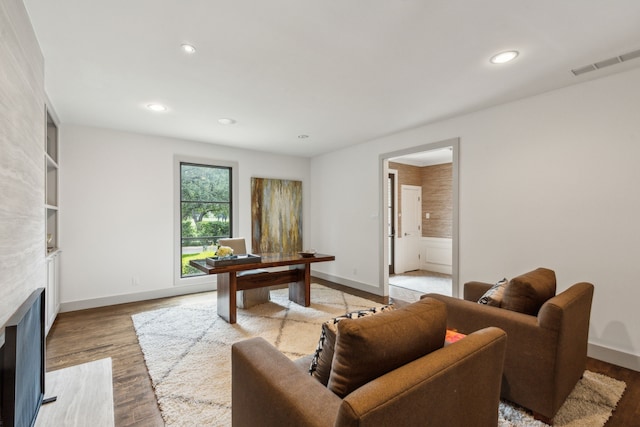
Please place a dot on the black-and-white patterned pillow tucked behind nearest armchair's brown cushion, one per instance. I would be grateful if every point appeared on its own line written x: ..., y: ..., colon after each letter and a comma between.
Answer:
x: 321, y: 363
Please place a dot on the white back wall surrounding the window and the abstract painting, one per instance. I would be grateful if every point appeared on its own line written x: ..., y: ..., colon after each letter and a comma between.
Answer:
x: 117, y: 210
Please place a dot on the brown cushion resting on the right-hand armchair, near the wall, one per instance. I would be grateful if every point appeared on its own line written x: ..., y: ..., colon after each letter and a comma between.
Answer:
x: 527, y: 293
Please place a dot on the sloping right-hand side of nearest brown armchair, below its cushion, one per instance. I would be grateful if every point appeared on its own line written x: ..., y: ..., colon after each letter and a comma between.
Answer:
x: 467, y: 371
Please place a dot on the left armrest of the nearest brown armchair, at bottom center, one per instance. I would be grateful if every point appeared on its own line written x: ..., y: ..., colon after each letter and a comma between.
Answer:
x: 268, y: 389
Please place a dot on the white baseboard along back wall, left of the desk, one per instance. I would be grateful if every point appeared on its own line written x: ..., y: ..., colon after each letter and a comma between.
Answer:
x: 139, y: 296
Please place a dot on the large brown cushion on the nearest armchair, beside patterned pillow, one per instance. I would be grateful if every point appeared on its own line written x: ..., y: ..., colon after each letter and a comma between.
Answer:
x: 369, y: 347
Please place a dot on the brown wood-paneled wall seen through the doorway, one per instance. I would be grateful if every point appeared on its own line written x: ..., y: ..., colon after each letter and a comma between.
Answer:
x: 437, y: 196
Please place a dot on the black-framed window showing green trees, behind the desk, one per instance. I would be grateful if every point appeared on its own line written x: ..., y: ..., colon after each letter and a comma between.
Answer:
x: 205, y: 211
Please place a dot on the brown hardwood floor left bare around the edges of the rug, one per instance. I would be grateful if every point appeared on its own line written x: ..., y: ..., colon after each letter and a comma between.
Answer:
x: 87, y: 335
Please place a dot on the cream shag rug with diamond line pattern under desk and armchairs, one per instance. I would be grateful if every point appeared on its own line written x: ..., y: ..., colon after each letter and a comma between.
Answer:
x: 187, y: 350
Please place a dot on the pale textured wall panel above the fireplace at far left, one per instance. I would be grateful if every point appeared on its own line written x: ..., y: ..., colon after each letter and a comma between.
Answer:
x: 22, y: 124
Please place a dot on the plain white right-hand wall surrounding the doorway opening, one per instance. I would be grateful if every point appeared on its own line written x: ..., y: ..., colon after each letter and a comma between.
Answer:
x: 546, y: 181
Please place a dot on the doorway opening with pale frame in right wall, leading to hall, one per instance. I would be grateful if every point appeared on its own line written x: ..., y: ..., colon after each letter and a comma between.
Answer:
x: 432, y: 253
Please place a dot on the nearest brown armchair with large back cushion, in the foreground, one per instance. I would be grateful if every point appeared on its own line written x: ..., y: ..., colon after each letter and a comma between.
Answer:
x: 453, y: 385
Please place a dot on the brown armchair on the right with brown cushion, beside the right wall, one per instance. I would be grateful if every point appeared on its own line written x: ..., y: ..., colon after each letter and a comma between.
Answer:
x: 547, y: 335
